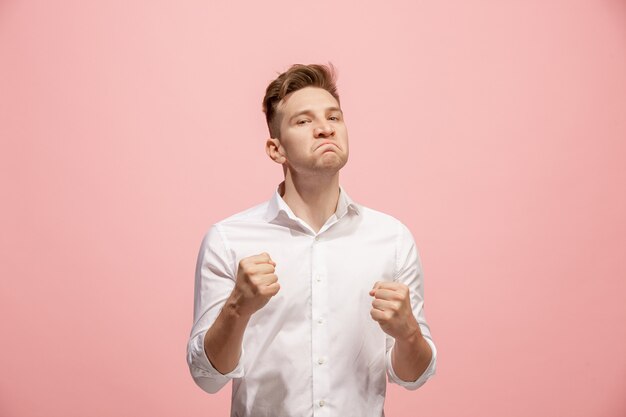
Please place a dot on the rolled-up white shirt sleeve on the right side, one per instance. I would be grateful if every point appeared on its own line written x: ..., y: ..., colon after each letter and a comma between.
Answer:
x: 409, y: 272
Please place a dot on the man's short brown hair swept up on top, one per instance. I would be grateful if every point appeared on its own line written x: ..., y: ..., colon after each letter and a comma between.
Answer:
x: 298, y: 76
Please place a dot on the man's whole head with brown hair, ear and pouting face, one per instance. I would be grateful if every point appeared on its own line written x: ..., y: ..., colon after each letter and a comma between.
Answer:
x: 305, y: 120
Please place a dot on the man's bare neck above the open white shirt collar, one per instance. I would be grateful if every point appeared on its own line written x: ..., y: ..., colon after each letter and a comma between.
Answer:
x: 313, y: 198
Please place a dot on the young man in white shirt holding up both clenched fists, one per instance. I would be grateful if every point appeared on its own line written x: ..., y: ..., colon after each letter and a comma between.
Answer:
x: 309, y: 300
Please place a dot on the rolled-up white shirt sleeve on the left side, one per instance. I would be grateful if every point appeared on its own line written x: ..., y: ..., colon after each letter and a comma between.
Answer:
x: 214, y: 281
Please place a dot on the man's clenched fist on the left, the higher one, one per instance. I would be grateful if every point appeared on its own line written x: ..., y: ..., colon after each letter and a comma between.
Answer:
x: 256, y: 283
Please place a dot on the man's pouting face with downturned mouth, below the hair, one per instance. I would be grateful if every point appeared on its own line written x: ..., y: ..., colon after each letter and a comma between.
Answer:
x: 313, y: 135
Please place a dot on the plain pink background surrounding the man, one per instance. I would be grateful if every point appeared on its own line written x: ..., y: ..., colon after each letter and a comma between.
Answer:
x: 494, y: 129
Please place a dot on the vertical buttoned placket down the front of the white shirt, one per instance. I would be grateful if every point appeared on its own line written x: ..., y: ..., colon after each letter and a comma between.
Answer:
x: 319, y: 328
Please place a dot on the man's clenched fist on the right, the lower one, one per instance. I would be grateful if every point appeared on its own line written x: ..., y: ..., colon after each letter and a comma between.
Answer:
x: 391, y: 308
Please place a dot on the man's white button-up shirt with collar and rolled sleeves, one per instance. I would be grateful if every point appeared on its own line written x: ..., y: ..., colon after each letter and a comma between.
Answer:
x: 313, y: 349
